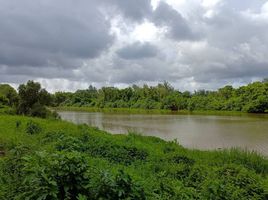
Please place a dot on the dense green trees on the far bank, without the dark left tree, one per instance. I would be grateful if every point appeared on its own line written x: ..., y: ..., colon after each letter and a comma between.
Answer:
x: 252, y: 98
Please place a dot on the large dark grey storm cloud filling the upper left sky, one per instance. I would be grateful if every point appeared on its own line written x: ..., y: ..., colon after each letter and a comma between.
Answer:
x: 38, y: 33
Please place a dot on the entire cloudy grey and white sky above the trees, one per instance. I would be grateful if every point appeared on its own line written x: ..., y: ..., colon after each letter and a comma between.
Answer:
x: 193, y: 44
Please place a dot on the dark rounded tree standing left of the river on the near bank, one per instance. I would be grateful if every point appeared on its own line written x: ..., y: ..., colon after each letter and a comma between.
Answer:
x: 33, y: 99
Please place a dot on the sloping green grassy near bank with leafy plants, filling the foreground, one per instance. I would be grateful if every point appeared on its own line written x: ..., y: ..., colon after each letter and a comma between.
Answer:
x: 53, y: 159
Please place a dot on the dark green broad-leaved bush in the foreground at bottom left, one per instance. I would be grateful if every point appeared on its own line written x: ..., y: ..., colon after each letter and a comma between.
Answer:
x: 56, y: 176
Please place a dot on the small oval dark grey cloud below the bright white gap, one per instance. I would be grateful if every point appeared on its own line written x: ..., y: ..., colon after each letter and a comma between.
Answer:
x: 137, y: 50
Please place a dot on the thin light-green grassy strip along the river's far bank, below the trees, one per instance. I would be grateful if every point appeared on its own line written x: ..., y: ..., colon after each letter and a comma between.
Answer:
x: 148, y: 111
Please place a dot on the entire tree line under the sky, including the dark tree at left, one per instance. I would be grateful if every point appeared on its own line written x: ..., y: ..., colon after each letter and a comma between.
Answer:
x: 31, y: 99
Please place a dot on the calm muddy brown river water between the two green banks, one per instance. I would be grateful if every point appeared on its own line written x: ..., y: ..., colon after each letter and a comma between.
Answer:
x: 192, y: 131
